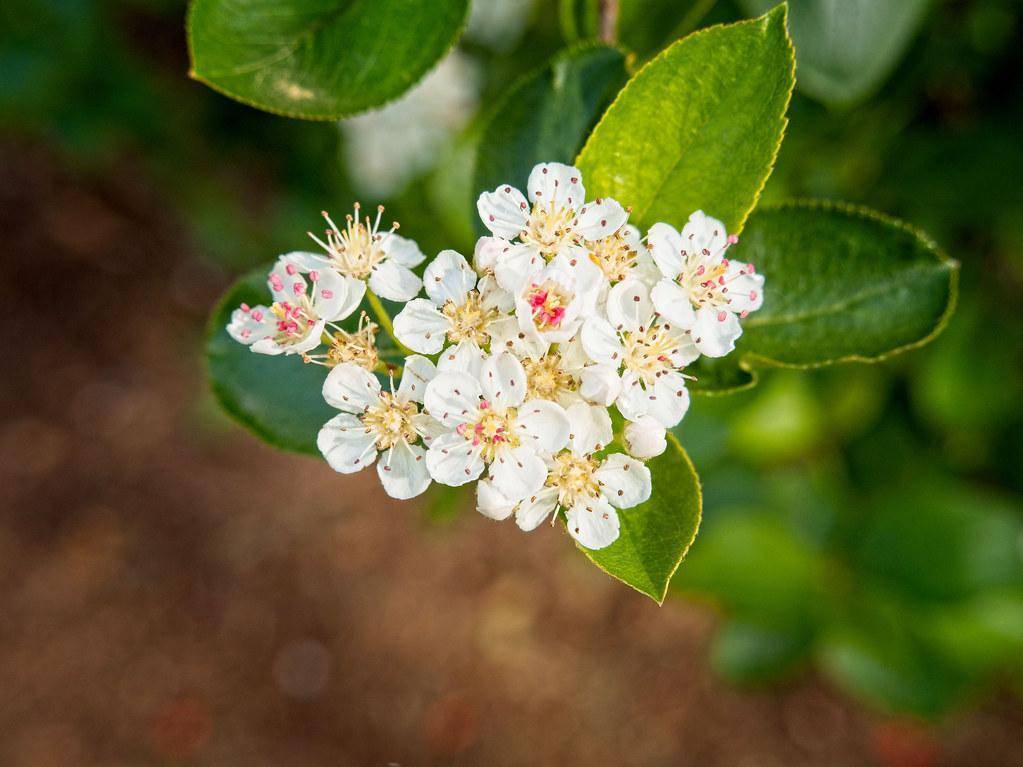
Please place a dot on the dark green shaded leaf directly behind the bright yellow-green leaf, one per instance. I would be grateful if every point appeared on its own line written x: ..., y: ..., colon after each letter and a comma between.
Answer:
x: 548, y: 115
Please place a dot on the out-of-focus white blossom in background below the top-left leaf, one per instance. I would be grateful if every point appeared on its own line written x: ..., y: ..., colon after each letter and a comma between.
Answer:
x: 387, y: 149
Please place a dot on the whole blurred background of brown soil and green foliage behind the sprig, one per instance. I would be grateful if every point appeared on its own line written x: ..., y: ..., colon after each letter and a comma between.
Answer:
x: 172, y: 592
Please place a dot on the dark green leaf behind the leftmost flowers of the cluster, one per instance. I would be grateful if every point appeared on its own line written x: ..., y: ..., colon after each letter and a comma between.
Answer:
x: 278, y: 398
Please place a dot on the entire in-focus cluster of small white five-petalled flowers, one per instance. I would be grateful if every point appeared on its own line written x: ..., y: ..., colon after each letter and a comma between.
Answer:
x: 516, y: 360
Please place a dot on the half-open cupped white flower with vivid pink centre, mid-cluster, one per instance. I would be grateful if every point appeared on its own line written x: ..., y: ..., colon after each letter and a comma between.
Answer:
x: 554, y: 302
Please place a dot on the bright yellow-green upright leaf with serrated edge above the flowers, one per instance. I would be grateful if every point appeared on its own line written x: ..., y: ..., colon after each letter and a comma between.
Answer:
x: 699, y: 127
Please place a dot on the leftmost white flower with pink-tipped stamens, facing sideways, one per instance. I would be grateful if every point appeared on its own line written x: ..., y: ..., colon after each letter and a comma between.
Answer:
x: 301, y: 311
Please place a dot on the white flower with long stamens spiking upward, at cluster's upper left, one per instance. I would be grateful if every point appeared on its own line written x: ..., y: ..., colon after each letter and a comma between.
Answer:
x: 361, y: 251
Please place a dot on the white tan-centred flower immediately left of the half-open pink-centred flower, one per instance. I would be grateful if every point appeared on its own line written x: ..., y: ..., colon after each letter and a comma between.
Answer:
x: 455, y: 313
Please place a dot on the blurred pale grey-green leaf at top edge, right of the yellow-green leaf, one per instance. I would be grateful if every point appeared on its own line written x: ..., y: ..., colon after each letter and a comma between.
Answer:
x: 847, y: 49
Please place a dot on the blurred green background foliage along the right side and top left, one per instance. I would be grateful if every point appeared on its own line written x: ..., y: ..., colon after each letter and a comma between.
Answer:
x: 864, y: 520
